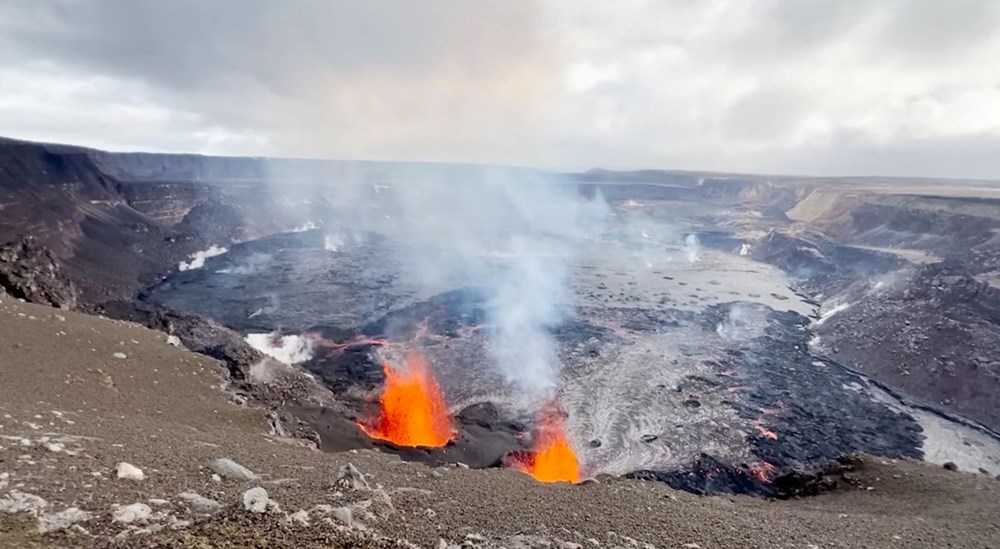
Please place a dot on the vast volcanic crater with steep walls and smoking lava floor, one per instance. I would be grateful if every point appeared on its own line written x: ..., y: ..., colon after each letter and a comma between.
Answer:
x: 721, y: 333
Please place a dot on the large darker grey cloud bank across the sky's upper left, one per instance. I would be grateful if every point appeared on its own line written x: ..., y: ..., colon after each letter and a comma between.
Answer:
x: 185, y: 44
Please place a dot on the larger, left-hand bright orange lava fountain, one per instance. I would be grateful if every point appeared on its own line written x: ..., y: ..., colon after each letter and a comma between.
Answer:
x: 413, y: 412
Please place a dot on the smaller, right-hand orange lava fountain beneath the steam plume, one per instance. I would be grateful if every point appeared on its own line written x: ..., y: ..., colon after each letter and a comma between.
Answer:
x: 552, y: 459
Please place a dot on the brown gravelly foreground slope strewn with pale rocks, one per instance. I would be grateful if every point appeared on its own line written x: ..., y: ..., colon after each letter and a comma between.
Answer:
x: 111, y: 435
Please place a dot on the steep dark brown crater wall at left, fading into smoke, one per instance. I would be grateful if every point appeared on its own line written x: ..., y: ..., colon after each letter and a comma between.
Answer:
x: 117, y: 222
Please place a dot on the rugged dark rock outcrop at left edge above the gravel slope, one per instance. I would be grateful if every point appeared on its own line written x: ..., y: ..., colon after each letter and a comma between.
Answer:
x: 30, y: 272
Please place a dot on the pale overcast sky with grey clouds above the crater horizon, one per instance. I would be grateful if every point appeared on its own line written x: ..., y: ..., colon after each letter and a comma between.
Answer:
x: 896, y: 87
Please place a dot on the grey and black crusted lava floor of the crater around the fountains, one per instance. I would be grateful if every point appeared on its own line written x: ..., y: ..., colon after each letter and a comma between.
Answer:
x: 682, y: 362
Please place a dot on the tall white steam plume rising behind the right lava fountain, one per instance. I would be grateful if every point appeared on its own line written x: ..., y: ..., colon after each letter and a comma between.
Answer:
x: 512, y: 233
